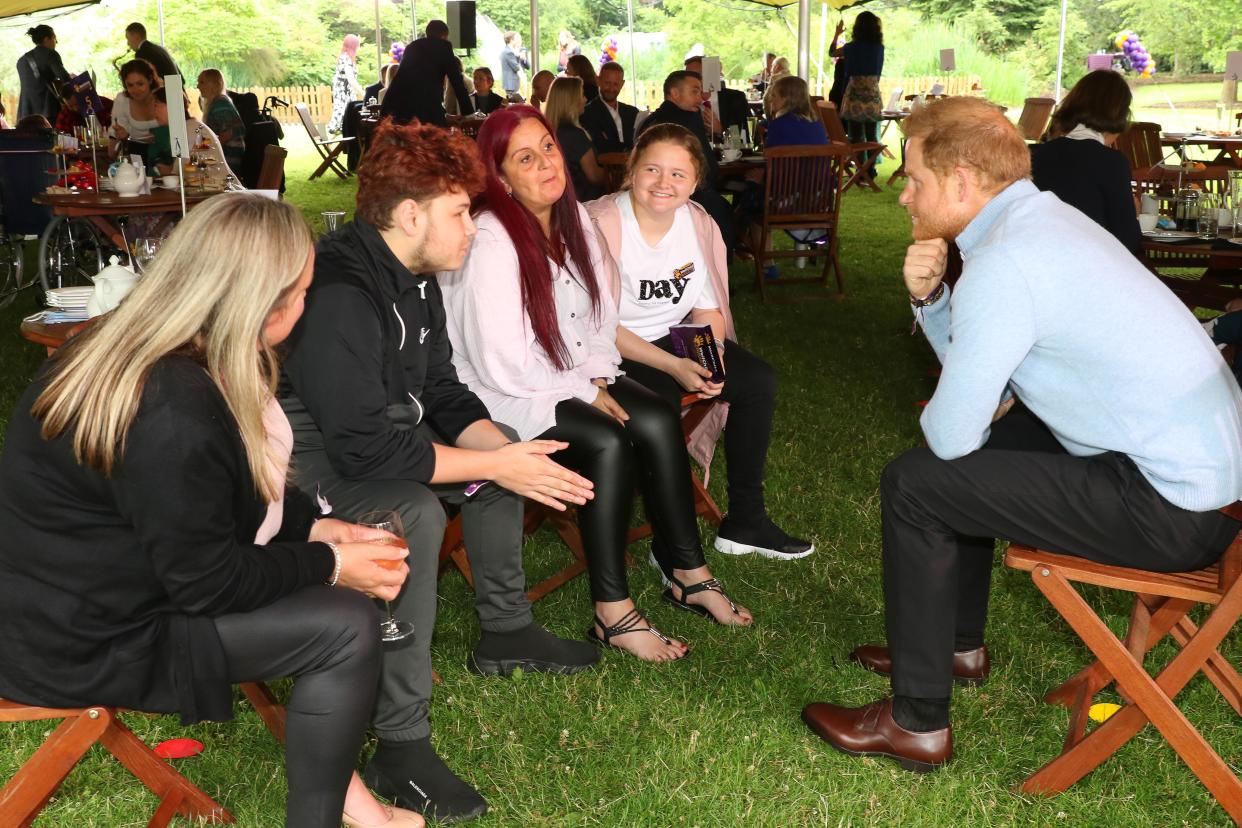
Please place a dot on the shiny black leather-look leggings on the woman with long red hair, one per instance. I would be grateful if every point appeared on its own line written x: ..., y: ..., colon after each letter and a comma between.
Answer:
x: 648, y: 449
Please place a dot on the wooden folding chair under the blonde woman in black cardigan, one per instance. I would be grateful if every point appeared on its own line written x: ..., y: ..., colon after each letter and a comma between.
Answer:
x: 33, y: 786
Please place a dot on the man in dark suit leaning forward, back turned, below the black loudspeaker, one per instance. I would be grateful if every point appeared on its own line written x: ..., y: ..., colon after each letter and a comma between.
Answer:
x: 418, y: 90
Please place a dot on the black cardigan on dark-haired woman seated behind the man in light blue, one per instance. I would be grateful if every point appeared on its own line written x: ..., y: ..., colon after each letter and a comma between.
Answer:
x: 1095, y: 179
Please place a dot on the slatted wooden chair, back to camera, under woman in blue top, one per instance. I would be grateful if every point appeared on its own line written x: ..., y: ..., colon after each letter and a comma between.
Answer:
x: 803, y: 191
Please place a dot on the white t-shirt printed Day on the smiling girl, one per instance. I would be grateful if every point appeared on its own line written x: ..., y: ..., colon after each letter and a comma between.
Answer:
x: 661, y: 285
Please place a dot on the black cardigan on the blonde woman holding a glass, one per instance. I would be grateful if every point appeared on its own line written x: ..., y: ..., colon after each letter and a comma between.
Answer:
x: 110, y: 584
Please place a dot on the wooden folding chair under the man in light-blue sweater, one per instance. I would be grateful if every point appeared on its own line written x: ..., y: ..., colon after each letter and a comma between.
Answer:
x: 1162, y: 608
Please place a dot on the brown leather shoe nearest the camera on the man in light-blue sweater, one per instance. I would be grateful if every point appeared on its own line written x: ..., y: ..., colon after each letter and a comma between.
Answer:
x: 871, y: 732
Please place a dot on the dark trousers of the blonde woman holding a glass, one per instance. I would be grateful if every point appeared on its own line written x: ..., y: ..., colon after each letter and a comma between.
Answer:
x: 329, y: 640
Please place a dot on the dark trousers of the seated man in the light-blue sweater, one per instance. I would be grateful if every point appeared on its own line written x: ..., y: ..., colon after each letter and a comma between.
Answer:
x: 941, y: 517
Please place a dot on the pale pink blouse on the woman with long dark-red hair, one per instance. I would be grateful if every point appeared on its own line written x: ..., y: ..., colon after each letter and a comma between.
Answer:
x: 495, y: 349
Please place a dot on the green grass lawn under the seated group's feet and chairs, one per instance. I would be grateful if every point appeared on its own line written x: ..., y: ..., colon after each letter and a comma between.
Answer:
x: 716, y: 740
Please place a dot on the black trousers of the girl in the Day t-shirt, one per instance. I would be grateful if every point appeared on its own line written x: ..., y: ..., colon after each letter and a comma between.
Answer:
x: 751, y: 392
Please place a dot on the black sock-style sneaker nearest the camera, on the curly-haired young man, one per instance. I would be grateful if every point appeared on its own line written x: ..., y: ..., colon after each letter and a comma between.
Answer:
x: 414, y: 776
